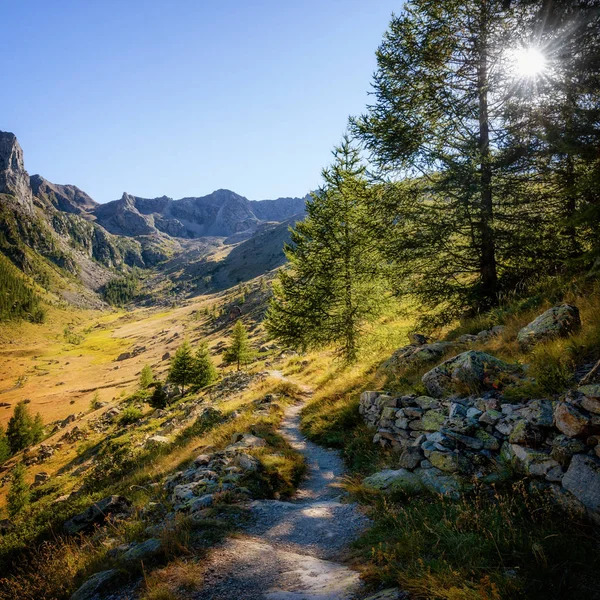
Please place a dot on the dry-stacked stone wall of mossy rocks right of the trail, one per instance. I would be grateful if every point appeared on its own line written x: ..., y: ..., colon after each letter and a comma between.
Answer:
x: 458, y: 440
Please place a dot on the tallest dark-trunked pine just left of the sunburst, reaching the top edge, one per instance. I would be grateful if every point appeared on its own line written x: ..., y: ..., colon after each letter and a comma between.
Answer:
x: 437, y: 123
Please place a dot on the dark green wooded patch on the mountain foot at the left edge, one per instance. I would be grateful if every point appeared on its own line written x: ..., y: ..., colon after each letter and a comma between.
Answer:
x: 17, y: 299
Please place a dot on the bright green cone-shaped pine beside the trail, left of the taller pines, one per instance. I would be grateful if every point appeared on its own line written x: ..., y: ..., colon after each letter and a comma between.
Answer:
x: 334, y: 283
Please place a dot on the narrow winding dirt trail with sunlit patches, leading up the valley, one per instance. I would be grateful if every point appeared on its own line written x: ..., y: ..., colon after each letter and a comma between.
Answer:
x: 290, y: 551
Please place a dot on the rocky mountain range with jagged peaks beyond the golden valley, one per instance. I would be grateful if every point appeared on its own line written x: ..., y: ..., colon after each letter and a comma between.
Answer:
x: 59, y: 229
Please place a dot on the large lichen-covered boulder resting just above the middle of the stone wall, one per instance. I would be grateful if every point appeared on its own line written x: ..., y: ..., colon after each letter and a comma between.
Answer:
x: 468, y: 372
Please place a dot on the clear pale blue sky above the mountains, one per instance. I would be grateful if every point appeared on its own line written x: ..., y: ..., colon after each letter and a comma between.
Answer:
x: 182, y: 97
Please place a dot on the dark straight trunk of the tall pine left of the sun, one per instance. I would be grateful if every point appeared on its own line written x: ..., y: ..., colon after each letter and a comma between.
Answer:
x: 487, y: 270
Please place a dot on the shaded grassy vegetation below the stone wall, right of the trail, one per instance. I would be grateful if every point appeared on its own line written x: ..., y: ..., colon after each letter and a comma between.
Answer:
x: 514, y: 543
